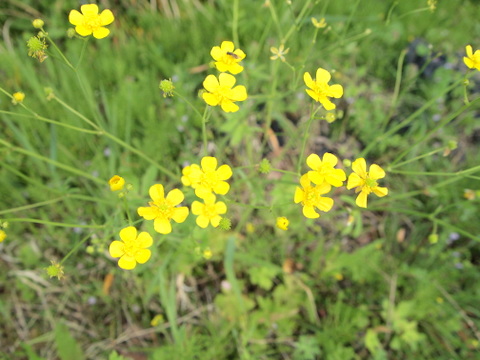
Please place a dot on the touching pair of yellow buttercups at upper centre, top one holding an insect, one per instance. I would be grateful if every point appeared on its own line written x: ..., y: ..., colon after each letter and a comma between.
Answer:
x: 222, y: 90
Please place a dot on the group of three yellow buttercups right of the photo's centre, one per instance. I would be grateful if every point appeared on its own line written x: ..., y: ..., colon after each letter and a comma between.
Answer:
x: 324, y: 174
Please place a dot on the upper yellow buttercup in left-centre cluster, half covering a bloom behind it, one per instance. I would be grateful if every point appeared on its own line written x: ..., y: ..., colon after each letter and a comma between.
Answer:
x: 208, y: 178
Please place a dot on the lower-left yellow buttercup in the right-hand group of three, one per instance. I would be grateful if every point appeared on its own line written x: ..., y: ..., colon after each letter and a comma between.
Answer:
x: 310, y: 197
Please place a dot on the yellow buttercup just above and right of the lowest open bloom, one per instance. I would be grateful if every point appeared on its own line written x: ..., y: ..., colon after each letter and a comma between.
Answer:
x: 162, y: 209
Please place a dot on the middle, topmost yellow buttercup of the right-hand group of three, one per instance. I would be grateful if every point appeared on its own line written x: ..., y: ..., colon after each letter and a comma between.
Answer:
x: 324, y: 170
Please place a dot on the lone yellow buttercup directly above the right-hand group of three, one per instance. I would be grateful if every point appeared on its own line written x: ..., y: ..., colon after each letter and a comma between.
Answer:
x: 320, y: 90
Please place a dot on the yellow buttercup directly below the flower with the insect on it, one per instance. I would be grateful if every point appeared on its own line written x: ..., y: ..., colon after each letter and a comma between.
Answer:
x: 221, y: 92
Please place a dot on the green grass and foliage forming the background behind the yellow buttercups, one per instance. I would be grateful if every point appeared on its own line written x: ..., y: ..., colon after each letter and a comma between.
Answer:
x: 394, y: 281
